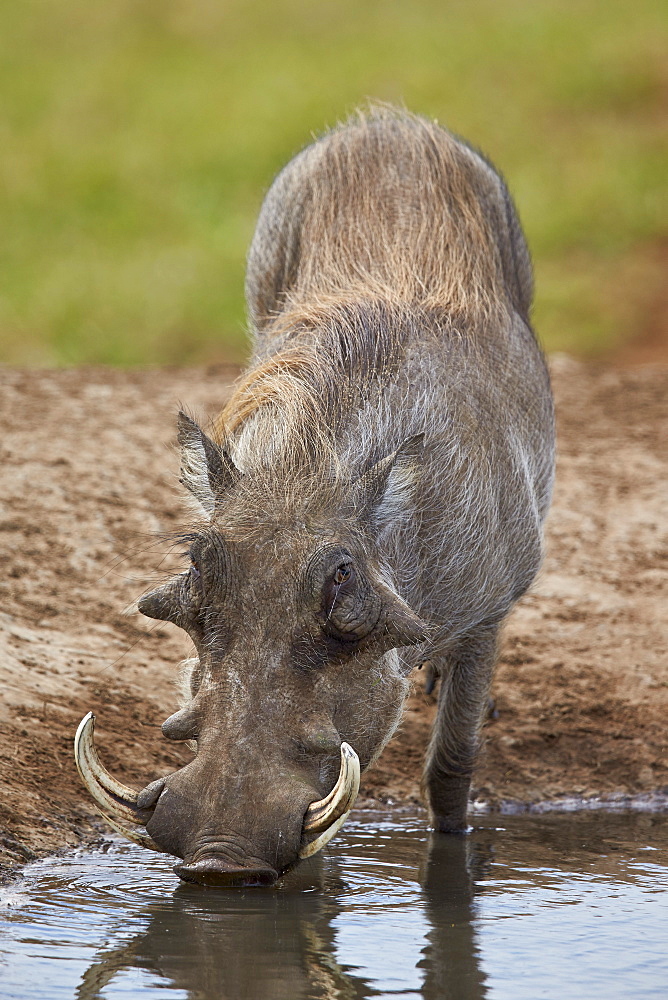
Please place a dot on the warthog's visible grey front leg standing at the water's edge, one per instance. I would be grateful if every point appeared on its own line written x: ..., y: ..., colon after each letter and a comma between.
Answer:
x: 466, y: 675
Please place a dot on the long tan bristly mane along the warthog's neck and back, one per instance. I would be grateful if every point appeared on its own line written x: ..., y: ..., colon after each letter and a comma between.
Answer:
x: 394, y: 247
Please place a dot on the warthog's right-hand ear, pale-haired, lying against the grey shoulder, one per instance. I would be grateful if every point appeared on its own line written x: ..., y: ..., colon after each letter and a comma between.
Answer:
x: 385, y: 490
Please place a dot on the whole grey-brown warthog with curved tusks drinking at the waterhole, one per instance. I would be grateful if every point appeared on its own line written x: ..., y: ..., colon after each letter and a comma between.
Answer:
x: 370, y: 498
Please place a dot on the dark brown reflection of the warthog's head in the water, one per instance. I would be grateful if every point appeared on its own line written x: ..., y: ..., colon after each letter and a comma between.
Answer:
x: 272, y: 945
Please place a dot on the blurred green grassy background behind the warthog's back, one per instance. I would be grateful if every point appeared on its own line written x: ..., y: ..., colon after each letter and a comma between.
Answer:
x: 137, y: 138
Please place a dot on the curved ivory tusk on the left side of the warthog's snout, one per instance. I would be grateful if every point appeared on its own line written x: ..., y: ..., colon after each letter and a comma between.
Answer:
x: 117, y: 802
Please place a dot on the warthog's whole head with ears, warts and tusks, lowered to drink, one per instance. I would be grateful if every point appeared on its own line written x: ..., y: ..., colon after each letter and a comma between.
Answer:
x: 297, y: 682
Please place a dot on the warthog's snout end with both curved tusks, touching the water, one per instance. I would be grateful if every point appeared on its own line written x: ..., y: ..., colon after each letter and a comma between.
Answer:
x: 219, y: 837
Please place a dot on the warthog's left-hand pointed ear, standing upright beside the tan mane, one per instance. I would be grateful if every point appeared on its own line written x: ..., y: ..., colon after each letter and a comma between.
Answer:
x: 206, y: 469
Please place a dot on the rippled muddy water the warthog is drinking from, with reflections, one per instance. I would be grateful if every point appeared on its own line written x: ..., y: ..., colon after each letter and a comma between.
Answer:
x: 556, y: 906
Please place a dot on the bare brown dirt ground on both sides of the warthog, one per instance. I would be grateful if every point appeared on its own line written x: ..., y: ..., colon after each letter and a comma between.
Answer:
x: 89, y: 486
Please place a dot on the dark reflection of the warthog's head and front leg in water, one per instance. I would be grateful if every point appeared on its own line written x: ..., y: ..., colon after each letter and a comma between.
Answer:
x: 282, y: 944
